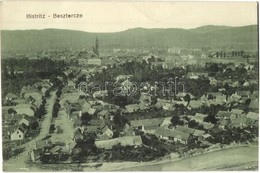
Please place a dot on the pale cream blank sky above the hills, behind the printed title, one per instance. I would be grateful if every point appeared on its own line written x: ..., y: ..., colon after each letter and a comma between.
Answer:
x: 118, y: 16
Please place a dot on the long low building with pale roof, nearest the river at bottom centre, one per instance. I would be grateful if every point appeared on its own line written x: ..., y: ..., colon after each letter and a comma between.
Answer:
x: 123, y: 141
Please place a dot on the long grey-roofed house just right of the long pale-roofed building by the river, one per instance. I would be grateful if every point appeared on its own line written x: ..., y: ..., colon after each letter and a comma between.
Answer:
x: 175, y: 135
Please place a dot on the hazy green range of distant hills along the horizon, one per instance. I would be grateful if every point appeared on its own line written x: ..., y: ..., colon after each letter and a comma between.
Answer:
x: 207, y: 36
